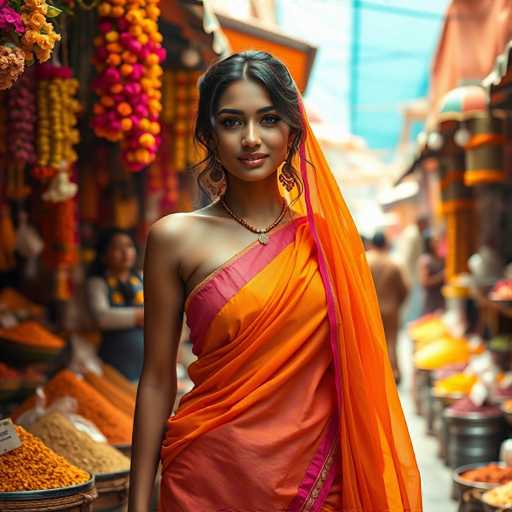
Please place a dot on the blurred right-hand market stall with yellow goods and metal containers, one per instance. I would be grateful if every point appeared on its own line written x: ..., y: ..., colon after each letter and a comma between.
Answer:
x: 463, y: 354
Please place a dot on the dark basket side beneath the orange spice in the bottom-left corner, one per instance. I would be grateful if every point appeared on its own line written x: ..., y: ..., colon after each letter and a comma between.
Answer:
x: 77, y: 498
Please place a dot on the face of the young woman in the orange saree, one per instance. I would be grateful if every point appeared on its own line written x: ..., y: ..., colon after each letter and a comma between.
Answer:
x: 252, y: 139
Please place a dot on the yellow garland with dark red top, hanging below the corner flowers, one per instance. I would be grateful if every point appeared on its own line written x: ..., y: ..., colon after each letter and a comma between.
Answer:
x: 57, y: 118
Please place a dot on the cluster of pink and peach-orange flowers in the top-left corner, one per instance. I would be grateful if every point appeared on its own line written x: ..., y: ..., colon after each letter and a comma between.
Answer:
x: 26, y: 35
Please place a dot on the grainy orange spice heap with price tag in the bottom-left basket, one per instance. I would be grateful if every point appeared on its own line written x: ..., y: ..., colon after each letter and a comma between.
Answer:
x: 33, y: 467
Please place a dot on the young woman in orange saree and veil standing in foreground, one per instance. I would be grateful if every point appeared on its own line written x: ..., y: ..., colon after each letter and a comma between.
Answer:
x: 294, y: 405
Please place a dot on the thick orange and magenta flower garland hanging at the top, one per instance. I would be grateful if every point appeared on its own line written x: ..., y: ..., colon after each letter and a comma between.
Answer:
x: 128, y: 57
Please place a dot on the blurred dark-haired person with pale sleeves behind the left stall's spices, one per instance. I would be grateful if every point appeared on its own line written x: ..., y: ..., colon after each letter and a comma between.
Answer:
x: 116, y: 300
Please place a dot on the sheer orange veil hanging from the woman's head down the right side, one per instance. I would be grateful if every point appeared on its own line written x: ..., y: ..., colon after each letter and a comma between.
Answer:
x: 379, y: 471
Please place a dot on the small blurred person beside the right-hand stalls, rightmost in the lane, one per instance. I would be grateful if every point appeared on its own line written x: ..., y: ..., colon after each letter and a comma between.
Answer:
x: 431, y: 275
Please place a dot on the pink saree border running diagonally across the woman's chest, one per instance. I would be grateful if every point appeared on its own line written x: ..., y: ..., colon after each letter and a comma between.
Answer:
x: 225, y: 282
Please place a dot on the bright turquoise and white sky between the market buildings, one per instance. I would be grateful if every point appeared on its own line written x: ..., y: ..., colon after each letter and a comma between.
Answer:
x: 358, y: 83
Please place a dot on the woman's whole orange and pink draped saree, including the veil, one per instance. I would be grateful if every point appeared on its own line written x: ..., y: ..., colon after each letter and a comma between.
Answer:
x: 294, y: 406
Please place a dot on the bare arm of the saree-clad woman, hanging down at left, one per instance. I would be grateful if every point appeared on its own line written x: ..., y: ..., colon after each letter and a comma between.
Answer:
x: 163, y: 295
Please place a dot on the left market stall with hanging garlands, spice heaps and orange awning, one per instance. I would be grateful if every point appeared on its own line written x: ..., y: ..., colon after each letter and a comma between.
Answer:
x: 97, y: 110
